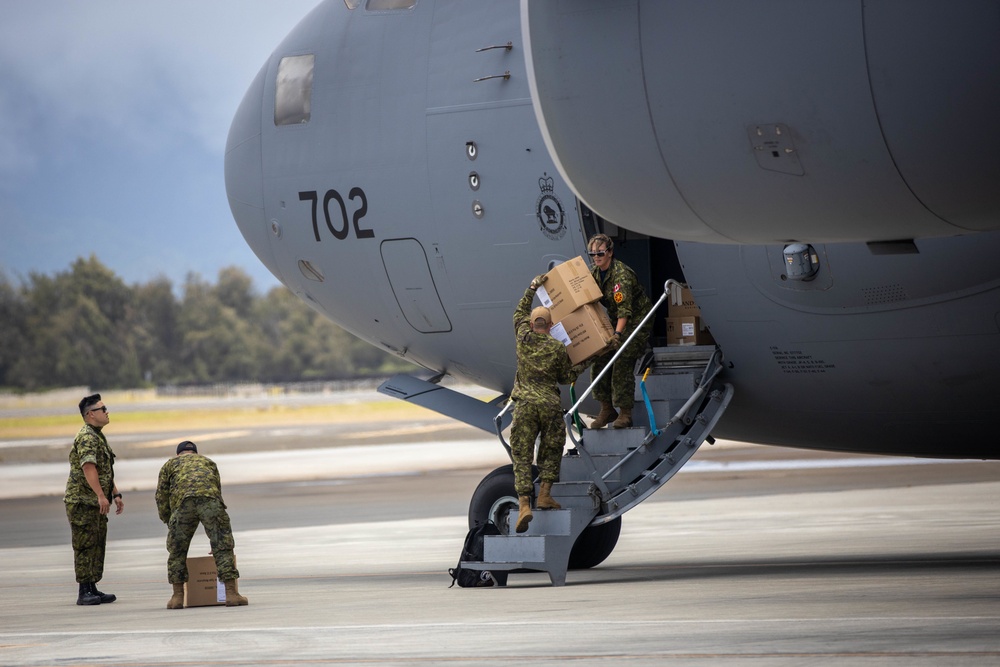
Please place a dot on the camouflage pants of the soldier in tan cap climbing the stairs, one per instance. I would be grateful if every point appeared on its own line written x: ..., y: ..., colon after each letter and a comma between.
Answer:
x: 531, y: 421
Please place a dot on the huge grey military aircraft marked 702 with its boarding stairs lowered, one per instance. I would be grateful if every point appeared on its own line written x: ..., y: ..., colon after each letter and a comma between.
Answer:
x: 822, y: 174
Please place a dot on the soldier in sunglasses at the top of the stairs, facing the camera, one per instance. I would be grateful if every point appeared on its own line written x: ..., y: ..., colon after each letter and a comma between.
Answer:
x: 627, y: 304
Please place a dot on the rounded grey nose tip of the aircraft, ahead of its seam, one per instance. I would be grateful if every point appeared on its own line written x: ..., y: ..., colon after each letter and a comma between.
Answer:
x: 244, y: 173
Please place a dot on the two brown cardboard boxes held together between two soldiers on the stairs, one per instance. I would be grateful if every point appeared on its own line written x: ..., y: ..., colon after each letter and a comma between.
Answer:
x: 570, y: 293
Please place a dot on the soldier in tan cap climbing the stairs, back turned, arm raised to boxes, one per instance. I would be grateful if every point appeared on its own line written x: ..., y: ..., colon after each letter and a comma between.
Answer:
x: 542, y: 365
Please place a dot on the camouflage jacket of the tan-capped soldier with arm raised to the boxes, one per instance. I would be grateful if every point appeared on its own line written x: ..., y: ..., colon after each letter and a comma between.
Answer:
x: 542, y: 361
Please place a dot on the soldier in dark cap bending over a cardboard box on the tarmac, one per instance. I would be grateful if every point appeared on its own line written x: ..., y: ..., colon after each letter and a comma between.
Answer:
x: 189, y: 492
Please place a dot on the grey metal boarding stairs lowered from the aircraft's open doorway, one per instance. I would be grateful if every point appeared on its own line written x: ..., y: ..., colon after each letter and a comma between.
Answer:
x: 609, y: 471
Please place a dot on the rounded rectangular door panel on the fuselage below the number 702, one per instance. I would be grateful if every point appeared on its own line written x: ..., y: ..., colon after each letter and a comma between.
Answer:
x: 413, y: 285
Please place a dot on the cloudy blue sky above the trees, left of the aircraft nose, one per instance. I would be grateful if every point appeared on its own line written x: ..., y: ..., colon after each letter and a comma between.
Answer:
x: 114, y: 121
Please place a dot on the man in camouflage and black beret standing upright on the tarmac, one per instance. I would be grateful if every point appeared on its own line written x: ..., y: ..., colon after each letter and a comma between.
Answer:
x: 90, y: 485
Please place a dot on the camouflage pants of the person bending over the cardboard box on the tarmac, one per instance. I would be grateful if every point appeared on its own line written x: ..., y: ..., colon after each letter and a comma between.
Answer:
x: 211, y: 513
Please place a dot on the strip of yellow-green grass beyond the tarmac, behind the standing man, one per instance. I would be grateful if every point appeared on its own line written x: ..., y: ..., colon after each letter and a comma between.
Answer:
x: 155, y: 420
